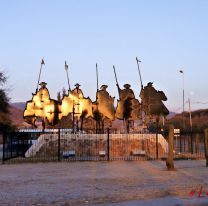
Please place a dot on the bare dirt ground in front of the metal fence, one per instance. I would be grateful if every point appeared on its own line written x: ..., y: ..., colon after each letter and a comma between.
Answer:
x: 103, y: 183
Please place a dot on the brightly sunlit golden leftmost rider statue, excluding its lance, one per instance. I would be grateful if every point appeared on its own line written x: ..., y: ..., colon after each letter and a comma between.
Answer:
x: 42, y: 107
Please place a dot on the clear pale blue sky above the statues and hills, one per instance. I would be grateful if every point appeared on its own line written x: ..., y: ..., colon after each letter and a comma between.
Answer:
x: 167, y: 36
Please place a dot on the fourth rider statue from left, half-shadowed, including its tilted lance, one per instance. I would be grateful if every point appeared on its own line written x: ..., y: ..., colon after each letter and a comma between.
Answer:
x: 128, y: 108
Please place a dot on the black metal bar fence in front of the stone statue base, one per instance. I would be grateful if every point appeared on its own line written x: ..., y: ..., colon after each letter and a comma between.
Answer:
x: 62, y: 145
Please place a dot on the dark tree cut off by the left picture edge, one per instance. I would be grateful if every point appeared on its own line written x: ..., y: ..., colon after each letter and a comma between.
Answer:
x: 5, y: 122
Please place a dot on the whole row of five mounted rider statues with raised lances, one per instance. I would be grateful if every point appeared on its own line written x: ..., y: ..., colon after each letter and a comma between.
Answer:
x: 74, y: 103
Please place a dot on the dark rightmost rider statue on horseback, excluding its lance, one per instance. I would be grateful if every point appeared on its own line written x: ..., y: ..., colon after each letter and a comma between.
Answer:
x: 152, y: 101
